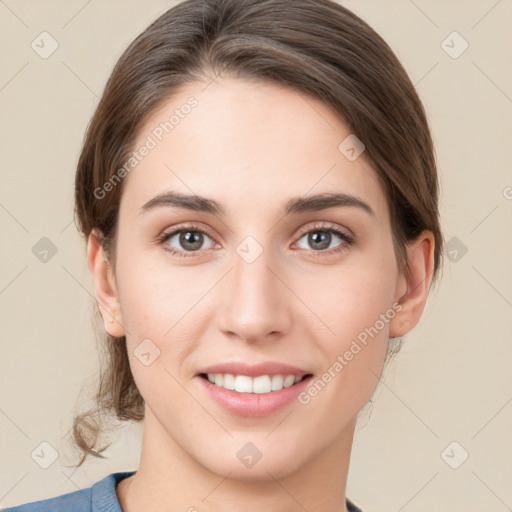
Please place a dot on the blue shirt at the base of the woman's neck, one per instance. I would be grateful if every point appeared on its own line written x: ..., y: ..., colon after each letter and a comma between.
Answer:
x: 100, y: 497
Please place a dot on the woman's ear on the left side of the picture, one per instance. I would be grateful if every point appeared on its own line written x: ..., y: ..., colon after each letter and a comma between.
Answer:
x: 105, y: 286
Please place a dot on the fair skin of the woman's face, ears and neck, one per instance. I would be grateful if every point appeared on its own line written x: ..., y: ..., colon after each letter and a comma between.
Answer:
x: 252, y: 147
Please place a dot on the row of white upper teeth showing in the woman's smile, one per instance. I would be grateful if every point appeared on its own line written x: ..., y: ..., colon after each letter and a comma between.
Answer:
x: 259, y: 385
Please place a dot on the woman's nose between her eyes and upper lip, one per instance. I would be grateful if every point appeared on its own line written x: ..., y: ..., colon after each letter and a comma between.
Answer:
x: 255, y: 304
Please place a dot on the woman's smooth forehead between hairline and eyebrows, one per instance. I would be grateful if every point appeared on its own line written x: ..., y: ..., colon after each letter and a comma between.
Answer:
x: 248, y: 145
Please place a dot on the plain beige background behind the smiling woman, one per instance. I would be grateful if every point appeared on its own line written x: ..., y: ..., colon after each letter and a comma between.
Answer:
x: 451, y: 382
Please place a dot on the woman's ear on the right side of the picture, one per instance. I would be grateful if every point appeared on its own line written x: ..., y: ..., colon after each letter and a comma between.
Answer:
x: 412, y: 291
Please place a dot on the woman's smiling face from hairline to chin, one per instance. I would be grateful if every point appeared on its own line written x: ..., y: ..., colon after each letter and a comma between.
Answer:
x: 265, y: 284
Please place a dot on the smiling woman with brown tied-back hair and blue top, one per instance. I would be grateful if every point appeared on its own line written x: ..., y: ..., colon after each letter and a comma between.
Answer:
x: 259, y: 196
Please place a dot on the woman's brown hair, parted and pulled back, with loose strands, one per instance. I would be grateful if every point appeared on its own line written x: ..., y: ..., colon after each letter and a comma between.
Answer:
x: 315, y: 47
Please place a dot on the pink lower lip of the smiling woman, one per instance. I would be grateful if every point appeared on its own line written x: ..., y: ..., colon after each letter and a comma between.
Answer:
x: 253, y: 404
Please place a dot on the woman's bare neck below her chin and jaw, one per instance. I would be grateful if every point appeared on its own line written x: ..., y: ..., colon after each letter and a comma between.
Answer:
x: 170, y: 479
